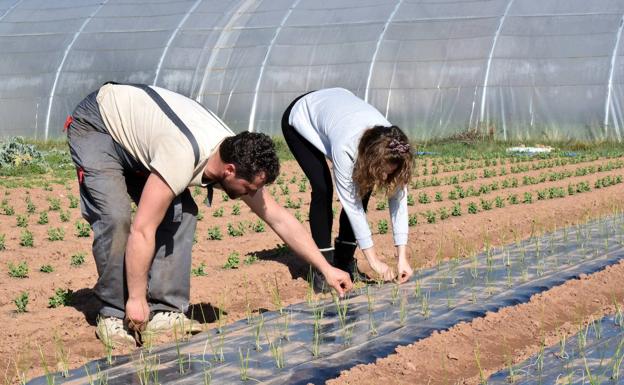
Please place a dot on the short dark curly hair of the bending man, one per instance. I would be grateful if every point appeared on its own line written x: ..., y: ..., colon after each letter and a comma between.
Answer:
x: 251, y: 153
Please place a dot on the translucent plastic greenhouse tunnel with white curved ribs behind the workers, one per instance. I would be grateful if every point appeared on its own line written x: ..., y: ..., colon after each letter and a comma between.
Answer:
x: 518, y: 68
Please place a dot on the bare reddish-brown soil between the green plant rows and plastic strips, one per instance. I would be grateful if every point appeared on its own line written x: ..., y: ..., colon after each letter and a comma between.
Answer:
x: 230, y: 293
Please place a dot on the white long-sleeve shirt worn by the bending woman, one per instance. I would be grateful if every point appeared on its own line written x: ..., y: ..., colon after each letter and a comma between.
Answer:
x: 333, y: 120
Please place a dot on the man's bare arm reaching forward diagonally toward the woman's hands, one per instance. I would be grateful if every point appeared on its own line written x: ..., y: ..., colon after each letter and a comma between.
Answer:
x: 294, y: 235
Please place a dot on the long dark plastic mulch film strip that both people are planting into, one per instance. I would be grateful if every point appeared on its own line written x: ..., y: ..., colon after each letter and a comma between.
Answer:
x: 311, y: 342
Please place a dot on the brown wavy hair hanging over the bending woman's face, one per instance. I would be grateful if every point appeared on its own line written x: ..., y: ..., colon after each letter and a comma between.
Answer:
x: 380, y: 147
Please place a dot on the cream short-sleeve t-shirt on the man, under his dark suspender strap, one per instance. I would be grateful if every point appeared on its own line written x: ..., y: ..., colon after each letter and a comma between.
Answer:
x: 142, y: 128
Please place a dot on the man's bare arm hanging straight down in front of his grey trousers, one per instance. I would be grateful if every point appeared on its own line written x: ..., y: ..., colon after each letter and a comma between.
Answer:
x: 155, y: 200
